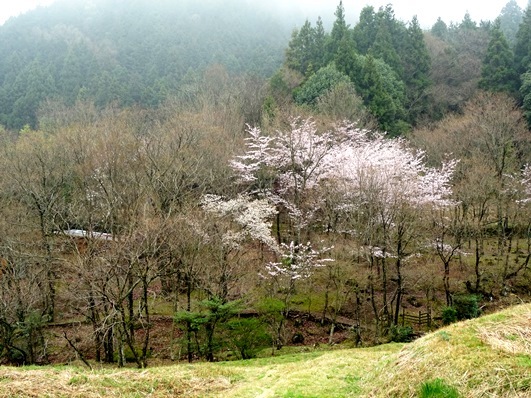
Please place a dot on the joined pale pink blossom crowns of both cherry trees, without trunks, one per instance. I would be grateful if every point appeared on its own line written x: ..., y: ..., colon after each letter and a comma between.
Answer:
x: 355, y: 159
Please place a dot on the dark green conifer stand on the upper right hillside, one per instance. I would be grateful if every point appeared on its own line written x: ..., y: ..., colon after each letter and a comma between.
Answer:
x: 406, y: 77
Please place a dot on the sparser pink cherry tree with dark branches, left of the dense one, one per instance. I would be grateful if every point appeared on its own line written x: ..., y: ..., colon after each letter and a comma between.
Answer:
x: 293, y: 163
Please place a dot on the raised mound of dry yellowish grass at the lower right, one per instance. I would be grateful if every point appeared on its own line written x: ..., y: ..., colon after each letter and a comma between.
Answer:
x: 462, y: 356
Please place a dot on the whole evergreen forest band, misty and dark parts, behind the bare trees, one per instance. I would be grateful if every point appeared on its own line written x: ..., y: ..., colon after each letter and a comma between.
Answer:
x: 140, y: 53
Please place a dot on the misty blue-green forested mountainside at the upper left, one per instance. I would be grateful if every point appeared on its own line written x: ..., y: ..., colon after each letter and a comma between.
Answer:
x: 131, y: 53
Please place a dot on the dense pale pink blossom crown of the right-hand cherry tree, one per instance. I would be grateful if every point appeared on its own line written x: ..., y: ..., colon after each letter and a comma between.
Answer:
x: 387, y: 166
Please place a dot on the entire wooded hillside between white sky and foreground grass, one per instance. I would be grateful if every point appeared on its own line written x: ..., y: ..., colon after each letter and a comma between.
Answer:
x: 190, y: 182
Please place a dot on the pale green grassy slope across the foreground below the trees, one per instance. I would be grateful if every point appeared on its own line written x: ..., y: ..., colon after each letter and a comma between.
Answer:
x: 487, y: 357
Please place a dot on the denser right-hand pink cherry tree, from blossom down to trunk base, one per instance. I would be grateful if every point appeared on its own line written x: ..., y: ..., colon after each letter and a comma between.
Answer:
x: 385, y: 186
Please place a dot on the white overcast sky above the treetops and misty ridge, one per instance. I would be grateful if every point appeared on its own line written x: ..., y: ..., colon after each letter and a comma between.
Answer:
x: 427, y: 11
